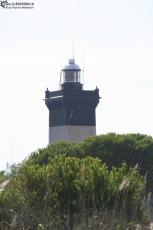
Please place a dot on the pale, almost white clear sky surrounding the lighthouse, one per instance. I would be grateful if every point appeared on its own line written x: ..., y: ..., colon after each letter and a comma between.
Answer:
x: 113, y: 42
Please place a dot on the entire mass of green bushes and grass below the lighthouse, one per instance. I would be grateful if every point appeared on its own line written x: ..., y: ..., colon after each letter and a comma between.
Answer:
x: 100, y: 183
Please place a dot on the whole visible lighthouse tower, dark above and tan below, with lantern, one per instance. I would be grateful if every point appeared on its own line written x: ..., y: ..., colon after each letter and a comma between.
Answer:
x: 71, y: 109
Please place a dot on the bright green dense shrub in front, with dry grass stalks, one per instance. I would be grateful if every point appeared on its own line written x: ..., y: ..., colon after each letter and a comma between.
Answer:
x: 68, y: 191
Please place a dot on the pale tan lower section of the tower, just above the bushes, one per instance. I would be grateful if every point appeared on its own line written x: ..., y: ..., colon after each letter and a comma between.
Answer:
x: 70, y: 133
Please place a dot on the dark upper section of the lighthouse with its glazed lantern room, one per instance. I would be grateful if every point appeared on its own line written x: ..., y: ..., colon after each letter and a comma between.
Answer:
x: 71, y: 105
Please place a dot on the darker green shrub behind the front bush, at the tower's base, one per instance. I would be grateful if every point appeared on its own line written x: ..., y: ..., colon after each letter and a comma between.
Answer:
x: 113, y: 149
